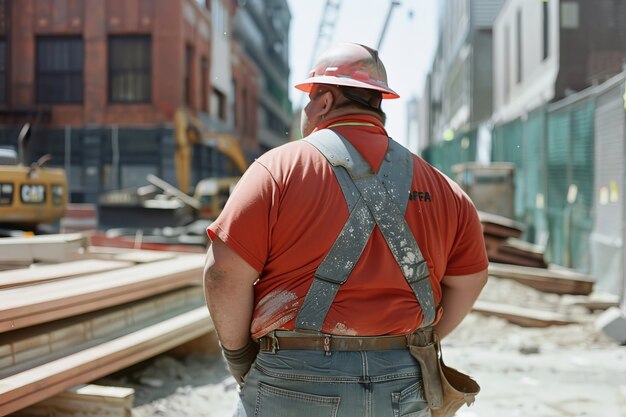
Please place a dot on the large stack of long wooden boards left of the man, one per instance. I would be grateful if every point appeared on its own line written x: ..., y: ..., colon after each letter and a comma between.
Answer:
x: 89, y: 314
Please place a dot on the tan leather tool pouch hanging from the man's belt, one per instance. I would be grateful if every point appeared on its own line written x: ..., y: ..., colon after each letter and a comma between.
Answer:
x: 445, y: 388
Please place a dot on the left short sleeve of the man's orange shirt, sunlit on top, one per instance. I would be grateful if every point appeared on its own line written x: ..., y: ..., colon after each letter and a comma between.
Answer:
x: 245, y: 223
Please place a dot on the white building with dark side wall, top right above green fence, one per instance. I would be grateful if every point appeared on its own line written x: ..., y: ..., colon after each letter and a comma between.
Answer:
x: 546, y: 50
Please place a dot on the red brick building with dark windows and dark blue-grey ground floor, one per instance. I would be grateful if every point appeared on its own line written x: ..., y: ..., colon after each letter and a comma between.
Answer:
x: 101, y: 80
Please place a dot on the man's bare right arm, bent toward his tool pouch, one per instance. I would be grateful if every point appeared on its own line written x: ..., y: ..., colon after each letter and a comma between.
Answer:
x: 458, y: 296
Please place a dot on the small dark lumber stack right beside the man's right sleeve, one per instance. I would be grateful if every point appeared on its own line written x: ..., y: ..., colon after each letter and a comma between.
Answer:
x: 503, y: 244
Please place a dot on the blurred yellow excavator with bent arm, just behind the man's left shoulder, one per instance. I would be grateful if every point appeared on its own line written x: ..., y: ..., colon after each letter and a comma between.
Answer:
x: 211, y: 193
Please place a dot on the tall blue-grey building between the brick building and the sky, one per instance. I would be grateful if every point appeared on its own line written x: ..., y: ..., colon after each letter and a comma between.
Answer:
x: 262, y: 29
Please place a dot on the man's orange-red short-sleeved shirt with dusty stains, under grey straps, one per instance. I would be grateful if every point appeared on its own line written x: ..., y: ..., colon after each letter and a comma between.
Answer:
x: 288, y: 209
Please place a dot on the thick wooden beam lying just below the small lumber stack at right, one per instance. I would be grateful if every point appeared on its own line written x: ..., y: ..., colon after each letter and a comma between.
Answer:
x: 552, y: 281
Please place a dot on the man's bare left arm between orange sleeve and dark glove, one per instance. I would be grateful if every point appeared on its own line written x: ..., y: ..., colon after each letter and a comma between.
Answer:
x: 229, y: 291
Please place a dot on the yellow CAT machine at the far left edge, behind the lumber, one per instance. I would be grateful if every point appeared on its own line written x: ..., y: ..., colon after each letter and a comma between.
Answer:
x: 30, y: 195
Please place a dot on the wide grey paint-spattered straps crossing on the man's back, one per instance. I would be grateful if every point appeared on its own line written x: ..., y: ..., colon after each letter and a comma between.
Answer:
x: 373, y: 199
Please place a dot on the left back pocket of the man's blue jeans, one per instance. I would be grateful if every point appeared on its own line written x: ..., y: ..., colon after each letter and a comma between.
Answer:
x: 279, y: 402
